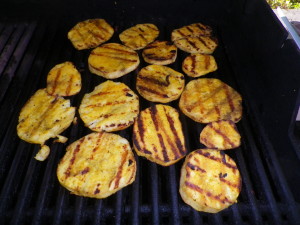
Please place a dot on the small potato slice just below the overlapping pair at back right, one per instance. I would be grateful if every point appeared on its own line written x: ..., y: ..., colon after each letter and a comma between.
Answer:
x: 196, y: 65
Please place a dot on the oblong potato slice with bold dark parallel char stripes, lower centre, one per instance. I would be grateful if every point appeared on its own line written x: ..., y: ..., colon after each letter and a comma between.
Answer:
x: 158, y: 136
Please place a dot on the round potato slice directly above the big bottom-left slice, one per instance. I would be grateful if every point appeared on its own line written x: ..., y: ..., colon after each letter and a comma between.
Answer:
x: 112, y: 106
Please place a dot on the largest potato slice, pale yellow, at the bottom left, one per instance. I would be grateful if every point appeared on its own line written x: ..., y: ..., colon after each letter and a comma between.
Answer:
x: 97, y: 165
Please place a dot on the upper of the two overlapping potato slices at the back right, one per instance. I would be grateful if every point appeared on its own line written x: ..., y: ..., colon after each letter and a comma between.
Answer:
x: 192, y: 30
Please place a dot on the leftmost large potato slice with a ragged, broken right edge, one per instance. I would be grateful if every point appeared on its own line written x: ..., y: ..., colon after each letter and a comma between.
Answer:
x: 43, y: 117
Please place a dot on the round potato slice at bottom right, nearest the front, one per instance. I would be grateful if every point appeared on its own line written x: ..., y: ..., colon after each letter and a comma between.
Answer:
x: 210, y: 181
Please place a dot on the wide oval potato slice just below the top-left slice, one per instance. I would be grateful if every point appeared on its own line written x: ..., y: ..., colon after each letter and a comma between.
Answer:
x: 113, y: 60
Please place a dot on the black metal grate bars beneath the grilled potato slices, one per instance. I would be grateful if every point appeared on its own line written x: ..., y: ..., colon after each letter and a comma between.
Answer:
x: 30, y: 192
